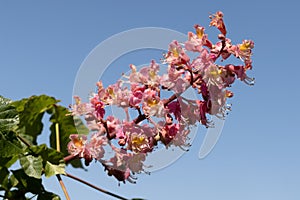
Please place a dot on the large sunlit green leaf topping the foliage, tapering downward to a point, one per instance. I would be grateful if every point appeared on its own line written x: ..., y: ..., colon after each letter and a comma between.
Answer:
x: 31, y: 112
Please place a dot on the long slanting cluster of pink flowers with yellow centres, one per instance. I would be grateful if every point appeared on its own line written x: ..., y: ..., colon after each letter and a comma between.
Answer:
x: 168, y: 119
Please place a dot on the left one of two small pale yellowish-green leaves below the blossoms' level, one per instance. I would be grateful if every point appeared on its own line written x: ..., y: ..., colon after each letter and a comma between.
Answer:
x: 33, y: 166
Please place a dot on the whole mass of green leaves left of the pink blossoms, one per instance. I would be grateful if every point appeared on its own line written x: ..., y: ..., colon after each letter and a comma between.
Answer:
x: 20, y: 125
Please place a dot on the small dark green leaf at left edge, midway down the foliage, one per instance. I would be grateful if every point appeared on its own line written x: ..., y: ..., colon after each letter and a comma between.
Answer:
x: 10, y: 146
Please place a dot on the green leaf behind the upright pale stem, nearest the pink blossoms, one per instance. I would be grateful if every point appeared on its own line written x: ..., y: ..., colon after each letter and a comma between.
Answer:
x: 67, y: 126
